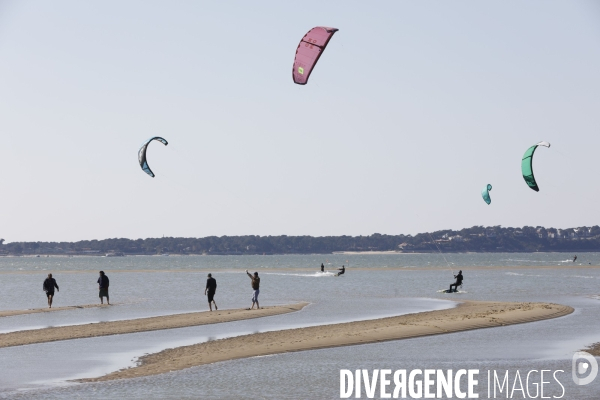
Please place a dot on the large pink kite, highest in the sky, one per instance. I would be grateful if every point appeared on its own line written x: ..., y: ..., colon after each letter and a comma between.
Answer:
x: 308, y: 52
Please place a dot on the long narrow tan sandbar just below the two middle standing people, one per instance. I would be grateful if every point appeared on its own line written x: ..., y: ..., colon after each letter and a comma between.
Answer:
x: 44, y: 335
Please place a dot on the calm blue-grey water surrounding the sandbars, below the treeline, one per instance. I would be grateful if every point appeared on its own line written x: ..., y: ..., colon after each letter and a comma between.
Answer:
x: 374, y: 286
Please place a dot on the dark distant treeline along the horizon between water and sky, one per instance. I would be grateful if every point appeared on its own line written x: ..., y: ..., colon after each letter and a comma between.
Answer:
x: 475, y: 239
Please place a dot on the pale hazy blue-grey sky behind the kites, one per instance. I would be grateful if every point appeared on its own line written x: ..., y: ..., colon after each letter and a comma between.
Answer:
x: 412, y: 109
